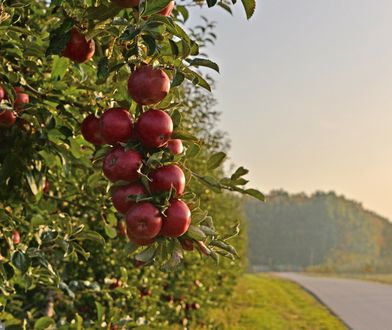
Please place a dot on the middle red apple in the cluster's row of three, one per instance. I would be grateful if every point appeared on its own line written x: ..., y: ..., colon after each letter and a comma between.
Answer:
x: 116, y: 125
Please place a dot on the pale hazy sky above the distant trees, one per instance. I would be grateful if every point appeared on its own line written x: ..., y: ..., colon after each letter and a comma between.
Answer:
x: 306, y: 95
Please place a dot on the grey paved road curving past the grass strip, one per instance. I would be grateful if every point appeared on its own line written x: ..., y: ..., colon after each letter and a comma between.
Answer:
x: 361, y: 305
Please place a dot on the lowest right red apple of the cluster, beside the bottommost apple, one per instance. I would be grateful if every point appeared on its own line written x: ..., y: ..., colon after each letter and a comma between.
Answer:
x: 177, y: 220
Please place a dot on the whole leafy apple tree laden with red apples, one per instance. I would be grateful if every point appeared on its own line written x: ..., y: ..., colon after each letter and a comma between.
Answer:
x: 111, y: 179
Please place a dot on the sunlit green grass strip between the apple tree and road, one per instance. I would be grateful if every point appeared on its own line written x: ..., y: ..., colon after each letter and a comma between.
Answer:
x: 268, y: 302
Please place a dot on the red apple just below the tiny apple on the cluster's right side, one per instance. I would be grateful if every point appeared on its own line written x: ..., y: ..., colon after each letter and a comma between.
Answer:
x: 166, y: 177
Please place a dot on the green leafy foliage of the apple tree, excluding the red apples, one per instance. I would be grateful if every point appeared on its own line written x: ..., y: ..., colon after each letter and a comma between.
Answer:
x: 71, y: 269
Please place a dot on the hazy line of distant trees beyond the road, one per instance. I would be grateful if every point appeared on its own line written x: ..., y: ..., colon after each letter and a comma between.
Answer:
x: 323, y: 231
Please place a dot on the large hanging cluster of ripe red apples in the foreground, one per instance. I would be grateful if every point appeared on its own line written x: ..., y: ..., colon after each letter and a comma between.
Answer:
x: 151, y: 132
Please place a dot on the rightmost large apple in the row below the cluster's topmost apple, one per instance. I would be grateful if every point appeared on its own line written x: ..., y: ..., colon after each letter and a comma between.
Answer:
x: 154, y: 128
